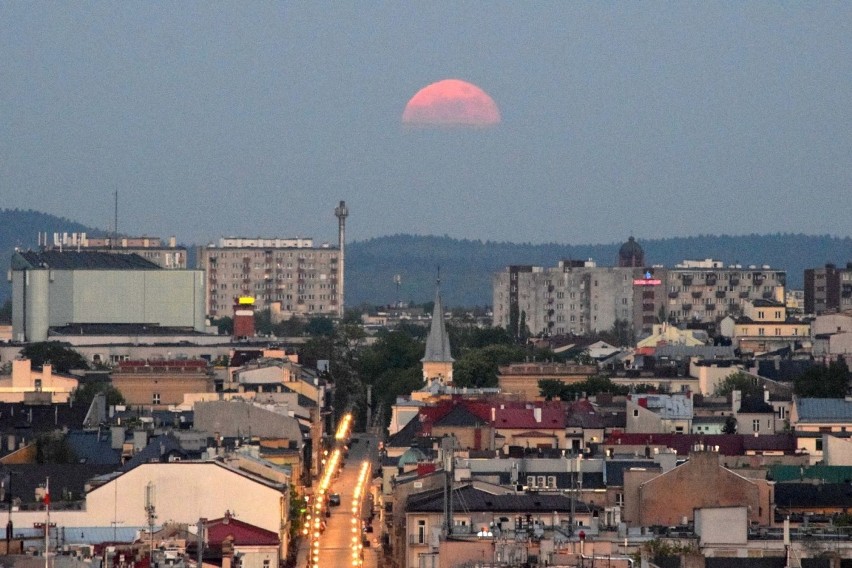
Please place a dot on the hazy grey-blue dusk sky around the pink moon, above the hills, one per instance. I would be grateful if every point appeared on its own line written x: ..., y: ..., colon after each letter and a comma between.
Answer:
x: 254, y: 119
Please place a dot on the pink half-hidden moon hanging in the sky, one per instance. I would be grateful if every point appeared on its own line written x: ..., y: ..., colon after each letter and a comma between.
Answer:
x: 451, y: 103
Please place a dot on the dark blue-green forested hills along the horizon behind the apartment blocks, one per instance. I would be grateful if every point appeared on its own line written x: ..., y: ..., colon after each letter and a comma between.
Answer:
x: 466, y: 266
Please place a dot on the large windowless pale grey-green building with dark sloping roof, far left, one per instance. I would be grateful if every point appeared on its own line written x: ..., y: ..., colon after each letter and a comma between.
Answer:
x: 61, y: 288
